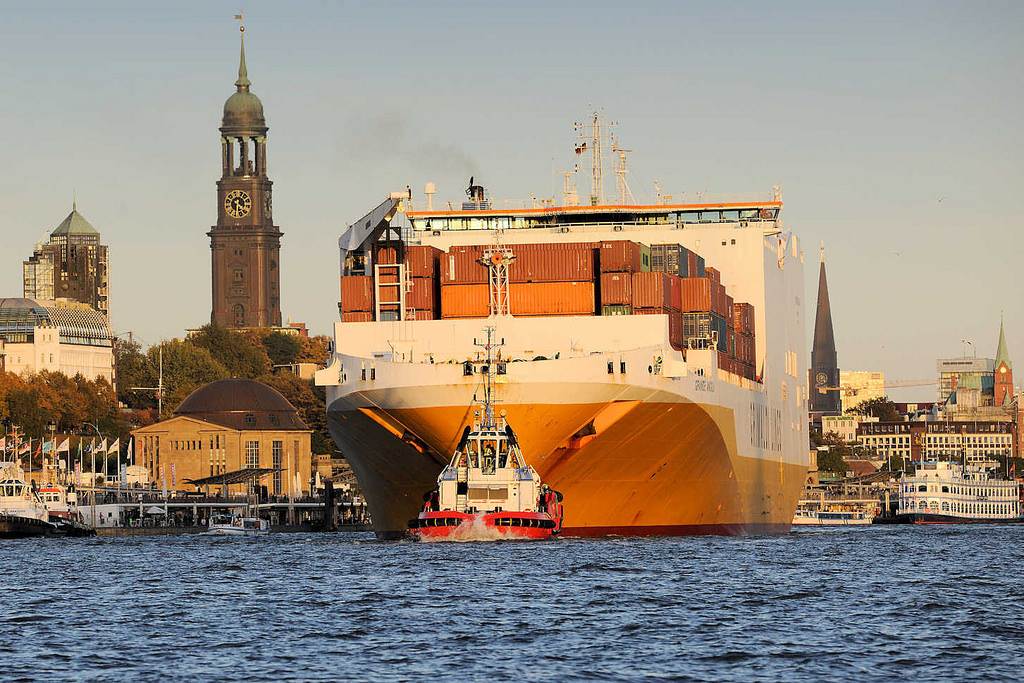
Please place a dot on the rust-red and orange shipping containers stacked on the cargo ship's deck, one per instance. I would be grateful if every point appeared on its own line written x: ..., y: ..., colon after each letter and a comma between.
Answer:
x: 612, y: 278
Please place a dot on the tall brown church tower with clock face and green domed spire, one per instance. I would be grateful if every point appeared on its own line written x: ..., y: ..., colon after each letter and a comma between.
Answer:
x: 245, y: 243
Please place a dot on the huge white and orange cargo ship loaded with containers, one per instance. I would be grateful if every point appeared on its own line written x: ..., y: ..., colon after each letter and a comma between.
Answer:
x: 654, y: 360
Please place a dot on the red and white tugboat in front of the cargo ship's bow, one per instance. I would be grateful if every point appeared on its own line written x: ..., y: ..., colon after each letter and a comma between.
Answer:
x: 488, y: 491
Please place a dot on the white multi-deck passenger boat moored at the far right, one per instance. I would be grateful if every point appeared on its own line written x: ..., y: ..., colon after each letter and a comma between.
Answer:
x: 954, y: 493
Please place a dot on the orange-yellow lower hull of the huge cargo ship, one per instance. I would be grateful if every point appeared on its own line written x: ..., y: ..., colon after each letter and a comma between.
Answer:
x: 632, y: 468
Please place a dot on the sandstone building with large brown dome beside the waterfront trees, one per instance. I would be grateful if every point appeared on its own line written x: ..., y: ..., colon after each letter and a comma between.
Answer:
x: 227, y: 426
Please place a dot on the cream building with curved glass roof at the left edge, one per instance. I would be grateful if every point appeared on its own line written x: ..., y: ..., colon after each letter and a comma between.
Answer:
x: 58, y: 336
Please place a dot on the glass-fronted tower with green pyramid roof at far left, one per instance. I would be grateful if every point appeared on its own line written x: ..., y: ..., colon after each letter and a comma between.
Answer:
x: 72, y: 265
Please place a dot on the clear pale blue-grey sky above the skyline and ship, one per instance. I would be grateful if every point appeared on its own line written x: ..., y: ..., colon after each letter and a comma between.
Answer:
x: 893, y: 129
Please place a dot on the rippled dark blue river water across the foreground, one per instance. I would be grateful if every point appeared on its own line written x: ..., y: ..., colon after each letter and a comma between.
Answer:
x: 857, y: 604
